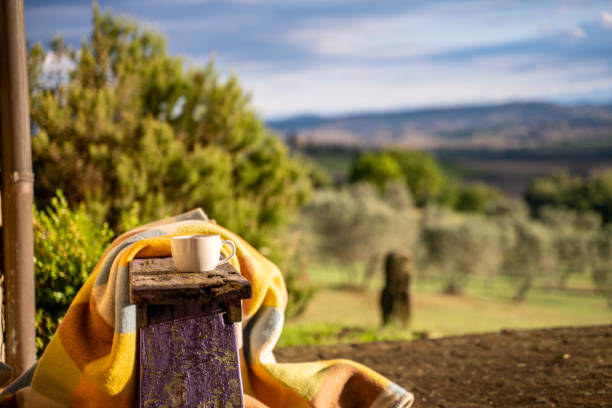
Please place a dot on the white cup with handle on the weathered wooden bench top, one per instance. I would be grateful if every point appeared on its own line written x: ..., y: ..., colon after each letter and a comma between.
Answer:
x: 198, y: 253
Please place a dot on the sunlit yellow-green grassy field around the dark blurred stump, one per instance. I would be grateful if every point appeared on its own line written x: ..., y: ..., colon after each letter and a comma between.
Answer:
x: 341, y: 313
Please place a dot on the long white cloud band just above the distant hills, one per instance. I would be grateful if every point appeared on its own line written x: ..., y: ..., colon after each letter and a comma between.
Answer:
x: 340, y: 89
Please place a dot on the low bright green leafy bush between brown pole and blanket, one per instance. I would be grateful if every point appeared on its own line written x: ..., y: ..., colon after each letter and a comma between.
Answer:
x: 67, y: 245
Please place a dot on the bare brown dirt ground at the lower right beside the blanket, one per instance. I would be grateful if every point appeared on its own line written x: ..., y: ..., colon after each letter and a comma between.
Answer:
x: 560, y: 367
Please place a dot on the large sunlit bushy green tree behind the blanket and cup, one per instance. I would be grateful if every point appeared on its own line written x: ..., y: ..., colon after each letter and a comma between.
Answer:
x: 133, y: 125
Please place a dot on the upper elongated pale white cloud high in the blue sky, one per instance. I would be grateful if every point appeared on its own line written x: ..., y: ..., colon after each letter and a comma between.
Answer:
x: 402, y: 35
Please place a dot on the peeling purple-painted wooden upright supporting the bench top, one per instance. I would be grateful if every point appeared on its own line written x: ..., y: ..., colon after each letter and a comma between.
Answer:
x: 189, y: 362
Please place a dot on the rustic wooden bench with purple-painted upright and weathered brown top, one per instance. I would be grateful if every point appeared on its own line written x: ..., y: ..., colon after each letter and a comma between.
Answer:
x: 188, y: 354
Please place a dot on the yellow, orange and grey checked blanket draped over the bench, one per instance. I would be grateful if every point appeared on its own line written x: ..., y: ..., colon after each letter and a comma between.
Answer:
x: 91, y: 359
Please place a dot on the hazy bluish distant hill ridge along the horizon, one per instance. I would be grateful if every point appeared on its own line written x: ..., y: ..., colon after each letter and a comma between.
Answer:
x: 510, y: 126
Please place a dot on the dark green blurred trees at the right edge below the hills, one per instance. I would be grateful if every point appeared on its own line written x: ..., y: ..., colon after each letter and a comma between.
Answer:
x: 582, y: 194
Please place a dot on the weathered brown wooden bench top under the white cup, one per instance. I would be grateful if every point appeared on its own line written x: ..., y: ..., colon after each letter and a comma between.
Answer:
x: 156, y: 281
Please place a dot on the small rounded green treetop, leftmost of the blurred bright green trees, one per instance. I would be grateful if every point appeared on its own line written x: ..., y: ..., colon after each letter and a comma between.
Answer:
x: 376, y: 168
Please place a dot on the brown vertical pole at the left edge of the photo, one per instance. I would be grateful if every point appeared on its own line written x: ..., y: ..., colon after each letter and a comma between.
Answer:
x: 17, y: 190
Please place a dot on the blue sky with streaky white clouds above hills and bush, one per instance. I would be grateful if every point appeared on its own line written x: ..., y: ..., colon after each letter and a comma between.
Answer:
x: 331, y: 57
